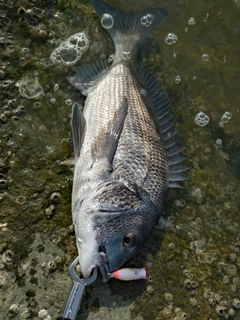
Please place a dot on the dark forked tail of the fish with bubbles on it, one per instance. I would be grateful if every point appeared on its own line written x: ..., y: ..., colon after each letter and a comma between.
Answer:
x: 128, y: 29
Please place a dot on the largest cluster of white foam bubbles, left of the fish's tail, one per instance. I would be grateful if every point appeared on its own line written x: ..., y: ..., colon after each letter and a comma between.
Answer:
x: 70, y: 51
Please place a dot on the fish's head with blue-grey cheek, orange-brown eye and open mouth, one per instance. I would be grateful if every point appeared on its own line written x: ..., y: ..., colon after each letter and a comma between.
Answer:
x: 112, y: 225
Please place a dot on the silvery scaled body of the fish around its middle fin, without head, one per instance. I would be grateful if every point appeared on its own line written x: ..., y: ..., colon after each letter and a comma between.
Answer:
x: 139, y: 133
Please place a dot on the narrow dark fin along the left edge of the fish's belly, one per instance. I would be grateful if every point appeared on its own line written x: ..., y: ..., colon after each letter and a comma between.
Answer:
x: 78, y: 129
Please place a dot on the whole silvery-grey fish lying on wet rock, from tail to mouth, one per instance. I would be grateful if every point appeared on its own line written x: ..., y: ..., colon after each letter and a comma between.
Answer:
x: 126, y: 149
